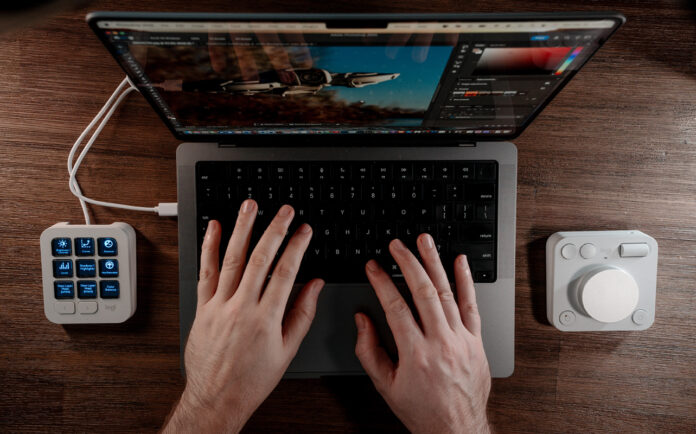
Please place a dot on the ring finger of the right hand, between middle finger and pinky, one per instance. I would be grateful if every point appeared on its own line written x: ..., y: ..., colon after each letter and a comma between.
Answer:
x: 437, y: 274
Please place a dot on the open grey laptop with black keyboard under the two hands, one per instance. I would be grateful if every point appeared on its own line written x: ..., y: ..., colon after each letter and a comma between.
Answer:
x: 371, y: 126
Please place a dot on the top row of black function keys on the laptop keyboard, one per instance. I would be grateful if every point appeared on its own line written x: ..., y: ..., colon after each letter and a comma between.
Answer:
x: 220, y: 172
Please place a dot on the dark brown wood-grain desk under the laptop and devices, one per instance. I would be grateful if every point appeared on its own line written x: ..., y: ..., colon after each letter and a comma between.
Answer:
x: 615, y: 150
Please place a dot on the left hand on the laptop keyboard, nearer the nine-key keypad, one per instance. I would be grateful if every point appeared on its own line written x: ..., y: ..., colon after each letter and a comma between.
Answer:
x: 239, y: 345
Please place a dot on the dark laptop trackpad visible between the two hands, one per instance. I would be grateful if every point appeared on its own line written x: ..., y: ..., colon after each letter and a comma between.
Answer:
x: 329, y: 348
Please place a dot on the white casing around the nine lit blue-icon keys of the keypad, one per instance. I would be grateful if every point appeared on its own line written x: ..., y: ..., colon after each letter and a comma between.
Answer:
x: 108, y: 310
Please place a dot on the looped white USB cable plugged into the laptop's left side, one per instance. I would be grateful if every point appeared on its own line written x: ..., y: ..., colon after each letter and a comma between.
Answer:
x: 166, y: 209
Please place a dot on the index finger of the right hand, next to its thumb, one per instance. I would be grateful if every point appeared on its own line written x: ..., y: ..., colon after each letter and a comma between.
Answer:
x: 399, y: 316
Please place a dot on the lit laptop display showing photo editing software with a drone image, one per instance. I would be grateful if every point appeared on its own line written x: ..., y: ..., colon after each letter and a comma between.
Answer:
x: 483, y: 79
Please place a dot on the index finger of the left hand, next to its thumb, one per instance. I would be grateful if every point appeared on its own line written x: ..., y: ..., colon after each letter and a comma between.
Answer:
x: 275, y: 297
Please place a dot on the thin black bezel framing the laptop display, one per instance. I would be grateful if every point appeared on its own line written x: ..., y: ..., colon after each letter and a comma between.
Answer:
x: 352, y: 21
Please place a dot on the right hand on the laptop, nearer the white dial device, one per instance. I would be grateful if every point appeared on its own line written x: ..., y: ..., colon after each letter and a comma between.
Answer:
x: 442, y: 379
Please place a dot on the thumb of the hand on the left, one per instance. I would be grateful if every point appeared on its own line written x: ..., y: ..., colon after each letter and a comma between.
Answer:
x: 300, y: 317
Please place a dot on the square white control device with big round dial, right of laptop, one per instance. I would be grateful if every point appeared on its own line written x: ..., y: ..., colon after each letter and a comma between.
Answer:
x: 601, y: 280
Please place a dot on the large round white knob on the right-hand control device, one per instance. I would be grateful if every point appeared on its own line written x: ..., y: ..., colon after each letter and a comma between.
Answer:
x: 608, y: 294
